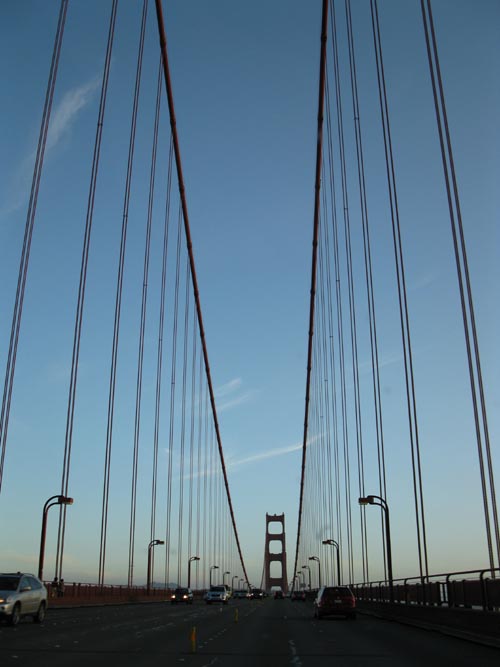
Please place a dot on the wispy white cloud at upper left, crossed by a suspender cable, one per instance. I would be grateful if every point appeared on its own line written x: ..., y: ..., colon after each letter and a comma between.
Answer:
x: 63, y: 119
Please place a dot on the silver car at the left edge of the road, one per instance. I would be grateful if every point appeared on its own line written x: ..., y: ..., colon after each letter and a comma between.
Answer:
x: 22, y: 595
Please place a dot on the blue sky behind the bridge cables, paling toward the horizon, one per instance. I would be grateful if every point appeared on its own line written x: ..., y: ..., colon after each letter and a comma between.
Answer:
x: 245, y: 83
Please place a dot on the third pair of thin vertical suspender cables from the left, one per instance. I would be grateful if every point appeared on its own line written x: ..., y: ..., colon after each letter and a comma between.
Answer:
x: 119, y: 286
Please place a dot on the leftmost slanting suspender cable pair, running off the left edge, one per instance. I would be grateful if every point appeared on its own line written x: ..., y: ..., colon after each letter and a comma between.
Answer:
x: 28, y: 234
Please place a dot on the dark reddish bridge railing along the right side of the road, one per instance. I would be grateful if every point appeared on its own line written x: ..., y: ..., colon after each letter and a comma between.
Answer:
x: 468, y: 589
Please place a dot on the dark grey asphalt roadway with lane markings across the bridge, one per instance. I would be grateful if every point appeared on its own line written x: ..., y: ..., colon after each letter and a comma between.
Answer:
x: 245, y: 633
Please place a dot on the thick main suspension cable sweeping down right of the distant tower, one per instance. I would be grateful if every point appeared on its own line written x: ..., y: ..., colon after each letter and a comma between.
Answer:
x: 317, y: 188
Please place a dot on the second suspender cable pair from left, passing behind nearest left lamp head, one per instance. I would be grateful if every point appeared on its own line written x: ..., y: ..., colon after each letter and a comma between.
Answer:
x: 81, y: 293
